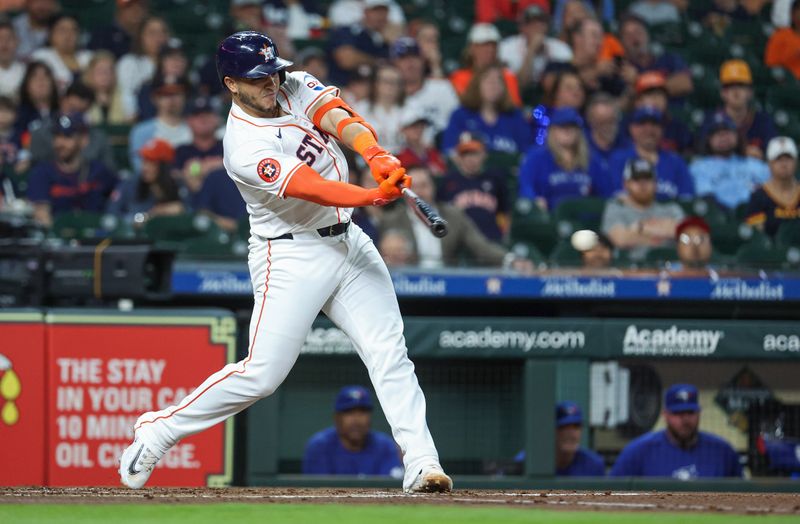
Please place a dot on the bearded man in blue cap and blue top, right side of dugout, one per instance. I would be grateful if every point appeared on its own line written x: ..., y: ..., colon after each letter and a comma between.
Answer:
x: 680, y: 450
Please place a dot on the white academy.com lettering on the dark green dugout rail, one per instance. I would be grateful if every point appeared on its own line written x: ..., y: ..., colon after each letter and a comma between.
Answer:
x: 489, y: 338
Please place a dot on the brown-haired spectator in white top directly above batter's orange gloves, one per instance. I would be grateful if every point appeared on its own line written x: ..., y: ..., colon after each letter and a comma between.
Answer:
x: 384, y: 107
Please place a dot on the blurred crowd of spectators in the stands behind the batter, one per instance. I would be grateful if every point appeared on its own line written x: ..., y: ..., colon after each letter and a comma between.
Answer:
x: 524, y: 120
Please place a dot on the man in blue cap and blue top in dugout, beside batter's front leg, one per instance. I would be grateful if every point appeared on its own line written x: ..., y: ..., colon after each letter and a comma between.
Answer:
x: 351, y: 447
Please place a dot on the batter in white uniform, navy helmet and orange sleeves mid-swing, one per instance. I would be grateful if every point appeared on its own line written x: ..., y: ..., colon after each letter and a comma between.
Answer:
x: 305, y: 256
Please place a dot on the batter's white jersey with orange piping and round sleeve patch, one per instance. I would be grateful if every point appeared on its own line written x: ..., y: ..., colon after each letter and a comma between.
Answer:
x: 262, y: 154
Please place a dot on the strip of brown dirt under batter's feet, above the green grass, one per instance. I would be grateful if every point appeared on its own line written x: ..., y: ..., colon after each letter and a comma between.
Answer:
x: 742, y: 503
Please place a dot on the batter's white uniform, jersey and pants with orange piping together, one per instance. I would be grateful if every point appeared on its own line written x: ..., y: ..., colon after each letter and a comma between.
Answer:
x: 294, y: 278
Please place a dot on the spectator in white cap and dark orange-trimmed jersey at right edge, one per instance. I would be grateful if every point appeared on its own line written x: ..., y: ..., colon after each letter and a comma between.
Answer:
x: 778, y: 199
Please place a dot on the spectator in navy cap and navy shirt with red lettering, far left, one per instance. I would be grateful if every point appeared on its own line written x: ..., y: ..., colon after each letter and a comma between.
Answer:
x: 69, y: 183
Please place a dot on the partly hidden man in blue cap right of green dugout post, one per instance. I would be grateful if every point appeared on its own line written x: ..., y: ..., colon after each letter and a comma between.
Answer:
x: 572, y: 460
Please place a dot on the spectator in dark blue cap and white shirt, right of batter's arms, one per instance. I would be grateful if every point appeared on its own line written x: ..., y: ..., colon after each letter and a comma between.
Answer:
x: 433, y: 97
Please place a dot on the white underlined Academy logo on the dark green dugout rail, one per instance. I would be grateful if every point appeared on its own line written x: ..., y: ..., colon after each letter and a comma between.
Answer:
x: 671, y: 341
